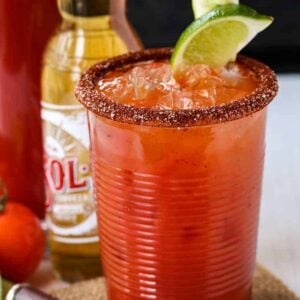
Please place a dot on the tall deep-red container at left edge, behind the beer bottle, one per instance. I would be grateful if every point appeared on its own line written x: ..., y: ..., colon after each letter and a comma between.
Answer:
x: 25, y: 28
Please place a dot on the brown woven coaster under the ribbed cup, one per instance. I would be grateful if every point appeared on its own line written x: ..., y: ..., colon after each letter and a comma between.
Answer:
x: 266, y: 287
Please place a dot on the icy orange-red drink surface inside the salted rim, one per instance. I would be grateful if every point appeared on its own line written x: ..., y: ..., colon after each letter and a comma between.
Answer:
x: 154, y: 85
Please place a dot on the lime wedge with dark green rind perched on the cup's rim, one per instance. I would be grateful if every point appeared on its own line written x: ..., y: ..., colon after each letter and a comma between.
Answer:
x: 215, y: 38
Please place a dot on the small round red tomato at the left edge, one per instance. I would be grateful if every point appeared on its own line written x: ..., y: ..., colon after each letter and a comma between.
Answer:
x: 22, y: 241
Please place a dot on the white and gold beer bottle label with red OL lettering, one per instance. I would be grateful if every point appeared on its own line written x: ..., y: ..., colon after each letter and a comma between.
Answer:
x: 71, y: 213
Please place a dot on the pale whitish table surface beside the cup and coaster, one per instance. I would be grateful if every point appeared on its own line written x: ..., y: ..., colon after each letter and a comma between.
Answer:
x: 279, y: 239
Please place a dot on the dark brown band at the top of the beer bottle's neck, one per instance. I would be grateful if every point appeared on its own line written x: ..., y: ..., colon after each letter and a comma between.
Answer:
x: 85, y: 8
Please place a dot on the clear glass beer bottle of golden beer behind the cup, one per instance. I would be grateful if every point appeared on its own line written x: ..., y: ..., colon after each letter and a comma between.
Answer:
x: 92, y: 30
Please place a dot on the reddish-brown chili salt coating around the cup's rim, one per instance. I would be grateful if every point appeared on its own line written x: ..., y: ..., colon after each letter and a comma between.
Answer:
x: 86, y: 92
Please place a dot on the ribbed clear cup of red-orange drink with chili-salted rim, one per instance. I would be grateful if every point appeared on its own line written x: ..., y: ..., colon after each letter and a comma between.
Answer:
x: 178, y: 190
